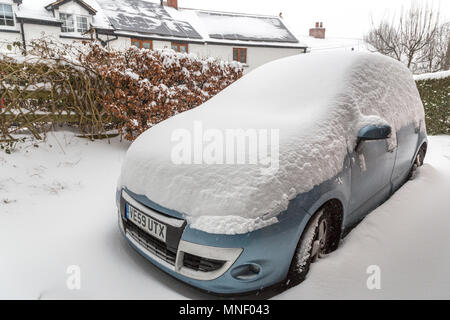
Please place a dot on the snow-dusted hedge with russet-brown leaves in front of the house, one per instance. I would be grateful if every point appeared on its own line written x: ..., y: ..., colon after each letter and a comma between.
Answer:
x: 100, y: 90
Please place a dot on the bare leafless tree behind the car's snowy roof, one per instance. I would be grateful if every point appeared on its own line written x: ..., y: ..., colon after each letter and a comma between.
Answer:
x: 415, y: 37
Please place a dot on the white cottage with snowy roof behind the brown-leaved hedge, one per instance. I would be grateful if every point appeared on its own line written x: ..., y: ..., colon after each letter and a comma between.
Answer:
x: 250, y: 39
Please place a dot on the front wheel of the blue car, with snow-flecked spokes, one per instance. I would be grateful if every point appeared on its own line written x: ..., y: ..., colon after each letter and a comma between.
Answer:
x: 314, y: 243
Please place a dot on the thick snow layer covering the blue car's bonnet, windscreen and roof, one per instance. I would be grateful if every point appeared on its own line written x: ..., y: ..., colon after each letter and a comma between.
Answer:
x: 309, y: 108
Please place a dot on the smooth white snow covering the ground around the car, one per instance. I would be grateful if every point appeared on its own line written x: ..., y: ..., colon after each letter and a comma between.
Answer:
x: 57, y: 209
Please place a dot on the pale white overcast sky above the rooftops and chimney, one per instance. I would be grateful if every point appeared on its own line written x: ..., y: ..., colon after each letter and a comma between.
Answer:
x: 342, y: 18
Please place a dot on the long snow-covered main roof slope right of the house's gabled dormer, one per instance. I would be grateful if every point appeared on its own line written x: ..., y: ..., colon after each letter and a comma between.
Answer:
x: 149, y: 18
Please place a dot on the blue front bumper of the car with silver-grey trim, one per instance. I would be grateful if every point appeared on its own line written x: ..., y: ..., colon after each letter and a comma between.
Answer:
x: 253, y: 261
